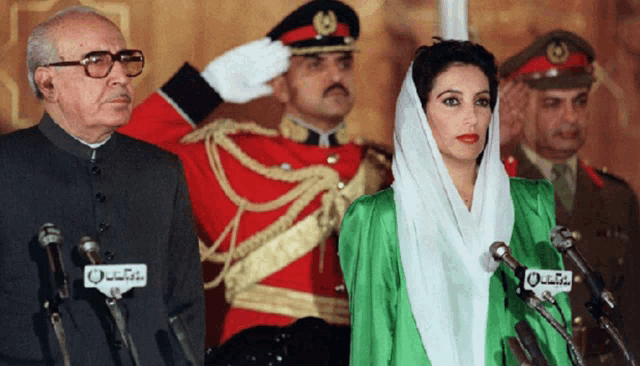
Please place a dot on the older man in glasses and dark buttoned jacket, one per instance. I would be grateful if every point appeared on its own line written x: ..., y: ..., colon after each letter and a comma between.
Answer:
x: 74, y: 171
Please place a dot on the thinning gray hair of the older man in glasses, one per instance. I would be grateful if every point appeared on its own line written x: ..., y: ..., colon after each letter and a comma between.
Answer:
x: 41, y: 45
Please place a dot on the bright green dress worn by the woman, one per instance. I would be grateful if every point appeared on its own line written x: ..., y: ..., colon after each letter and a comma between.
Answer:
x: 384, y: 331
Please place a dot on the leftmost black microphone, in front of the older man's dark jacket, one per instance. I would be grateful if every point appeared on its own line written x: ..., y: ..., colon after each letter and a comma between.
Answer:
x: 50, y: 239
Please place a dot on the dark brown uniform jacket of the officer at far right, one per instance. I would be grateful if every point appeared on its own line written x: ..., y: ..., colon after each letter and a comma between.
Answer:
x: 605, y: 219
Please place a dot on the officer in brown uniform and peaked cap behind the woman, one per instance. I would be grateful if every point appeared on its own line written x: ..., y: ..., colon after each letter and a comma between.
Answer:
x: 544, y: 101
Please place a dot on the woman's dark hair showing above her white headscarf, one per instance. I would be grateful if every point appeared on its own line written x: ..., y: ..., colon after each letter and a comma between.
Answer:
x: 431, y: 61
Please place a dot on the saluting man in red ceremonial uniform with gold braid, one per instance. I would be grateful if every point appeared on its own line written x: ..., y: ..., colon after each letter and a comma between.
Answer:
x: 269, y: 202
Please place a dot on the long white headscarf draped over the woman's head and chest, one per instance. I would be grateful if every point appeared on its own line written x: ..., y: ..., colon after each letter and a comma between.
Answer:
x: 443, y: 245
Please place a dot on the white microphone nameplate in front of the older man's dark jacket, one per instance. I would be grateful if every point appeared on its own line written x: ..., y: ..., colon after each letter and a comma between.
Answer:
x: 115, y: 279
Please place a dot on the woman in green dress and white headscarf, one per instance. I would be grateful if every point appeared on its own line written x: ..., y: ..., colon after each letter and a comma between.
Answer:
x: 422, y: 286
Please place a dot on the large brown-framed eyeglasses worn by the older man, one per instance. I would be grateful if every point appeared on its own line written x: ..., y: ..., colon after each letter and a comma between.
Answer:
x: 98, y: 64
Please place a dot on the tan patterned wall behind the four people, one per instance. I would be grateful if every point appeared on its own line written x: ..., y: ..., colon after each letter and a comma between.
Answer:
x: 171, y: 32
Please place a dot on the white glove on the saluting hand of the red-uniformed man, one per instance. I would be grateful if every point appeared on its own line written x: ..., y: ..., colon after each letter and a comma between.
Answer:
x: 241, y: 74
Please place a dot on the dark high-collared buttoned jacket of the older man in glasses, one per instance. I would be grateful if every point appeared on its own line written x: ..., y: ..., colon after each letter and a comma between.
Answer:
x: 131, y: 197
